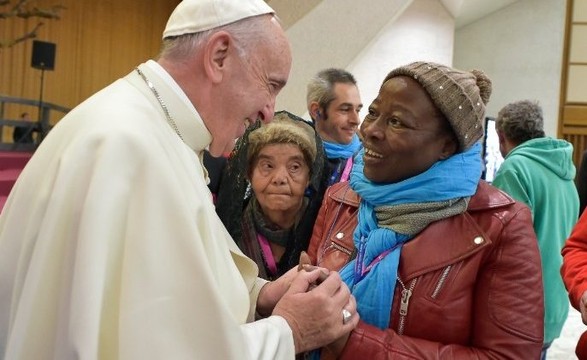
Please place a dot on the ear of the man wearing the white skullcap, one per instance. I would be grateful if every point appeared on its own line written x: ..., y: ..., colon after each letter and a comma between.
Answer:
x: 216, y: 53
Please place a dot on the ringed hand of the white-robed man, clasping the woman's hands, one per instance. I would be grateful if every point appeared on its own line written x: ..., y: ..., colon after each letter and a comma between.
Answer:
x: 315, y: 316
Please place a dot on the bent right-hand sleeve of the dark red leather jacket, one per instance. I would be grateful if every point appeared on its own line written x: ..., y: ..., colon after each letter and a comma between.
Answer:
x: 508, y: 308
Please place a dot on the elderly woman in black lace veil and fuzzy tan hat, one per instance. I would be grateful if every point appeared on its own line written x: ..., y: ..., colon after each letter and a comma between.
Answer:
x: 277, y: 169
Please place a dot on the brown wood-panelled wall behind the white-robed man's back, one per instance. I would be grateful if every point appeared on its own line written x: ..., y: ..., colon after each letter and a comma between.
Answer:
x: 97, y: 42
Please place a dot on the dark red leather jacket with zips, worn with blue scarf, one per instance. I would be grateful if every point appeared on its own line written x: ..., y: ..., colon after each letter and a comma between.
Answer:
x: 475, y: 281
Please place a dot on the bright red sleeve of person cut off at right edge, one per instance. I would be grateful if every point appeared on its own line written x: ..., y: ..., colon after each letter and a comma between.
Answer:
x: 574, y: 269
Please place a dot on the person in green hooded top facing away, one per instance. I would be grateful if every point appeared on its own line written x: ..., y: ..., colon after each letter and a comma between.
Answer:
x: 539, y: 171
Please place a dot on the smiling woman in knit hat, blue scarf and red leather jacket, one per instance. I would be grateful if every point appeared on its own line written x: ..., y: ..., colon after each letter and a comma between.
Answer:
x: 442, y: 264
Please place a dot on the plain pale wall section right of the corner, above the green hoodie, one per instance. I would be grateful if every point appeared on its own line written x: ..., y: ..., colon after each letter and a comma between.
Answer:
x: 521, y: 48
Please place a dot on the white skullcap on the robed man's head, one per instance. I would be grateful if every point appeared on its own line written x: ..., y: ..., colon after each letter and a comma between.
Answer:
x: 193, y: 16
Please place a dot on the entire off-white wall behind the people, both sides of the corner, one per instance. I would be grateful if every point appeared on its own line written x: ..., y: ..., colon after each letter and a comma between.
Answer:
x: 520, y: 47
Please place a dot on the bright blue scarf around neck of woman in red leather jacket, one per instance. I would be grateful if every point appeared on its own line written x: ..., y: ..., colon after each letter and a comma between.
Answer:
x: 371, y: 276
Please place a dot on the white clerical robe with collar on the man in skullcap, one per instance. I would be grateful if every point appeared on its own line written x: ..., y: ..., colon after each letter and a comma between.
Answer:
x: 110, y: 247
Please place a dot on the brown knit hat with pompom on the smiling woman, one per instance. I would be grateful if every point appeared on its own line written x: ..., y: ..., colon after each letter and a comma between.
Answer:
x: 461, y: 96
